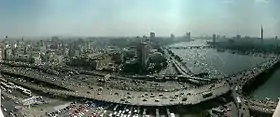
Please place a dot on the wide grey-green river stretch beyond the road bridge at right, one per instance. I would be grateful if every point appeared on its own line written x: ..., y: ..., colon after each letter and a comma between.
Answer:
x: 216, y: 64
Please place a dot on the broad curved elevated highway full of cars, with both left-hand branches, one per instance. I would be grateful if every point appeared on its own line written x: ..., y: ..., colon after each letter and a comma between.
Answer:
x: 159, y: 98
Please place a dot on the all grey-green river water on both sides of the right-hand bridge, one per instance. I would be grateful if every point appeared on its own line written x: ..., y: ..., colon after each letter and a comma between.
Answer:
x: 220, y: 64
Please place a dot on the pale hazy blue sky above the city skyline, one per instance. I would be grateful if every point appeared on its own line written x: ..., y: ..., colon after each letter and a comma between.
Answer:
x: 138, y: 17
